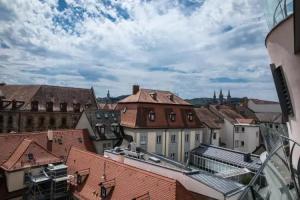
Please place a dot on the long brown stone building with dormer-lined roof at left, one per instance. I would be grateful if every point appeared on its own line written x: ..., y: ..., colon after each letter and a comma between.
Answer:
x: 42, y: 107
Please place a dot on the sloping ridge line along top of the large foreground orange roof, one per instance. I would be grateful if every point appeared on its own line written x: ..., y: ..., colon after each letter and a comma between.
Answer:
x: 124, y: 165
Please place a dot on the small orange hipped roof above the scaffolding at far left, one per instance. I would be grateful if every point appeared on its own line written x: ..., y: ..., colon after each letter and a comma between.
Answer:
x: 29, y: 154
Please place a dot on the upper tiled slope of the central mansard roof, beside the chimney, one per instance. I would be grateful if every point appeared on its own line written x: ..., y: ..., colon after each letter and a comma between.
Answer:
x: 162, y: 97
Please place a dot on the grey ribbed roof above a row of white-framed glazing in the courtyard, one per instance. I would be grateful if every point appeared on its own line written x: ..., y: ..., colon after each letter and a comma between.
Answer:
x: 228, y: 156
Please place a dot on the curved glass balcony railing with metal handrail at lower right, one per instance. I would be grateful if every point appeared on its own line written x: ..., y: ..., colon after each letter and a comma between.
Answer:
x: 280, y: 161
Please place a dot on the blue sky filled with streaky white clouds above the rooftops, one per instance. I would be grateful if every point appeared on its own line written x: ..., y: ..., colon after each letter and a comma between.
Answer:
x: 190, y: 47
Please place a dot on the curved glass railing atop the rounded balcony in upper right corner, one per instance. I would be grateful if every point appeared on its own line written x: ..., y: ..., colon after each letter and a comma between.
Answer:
x: 277, y: 10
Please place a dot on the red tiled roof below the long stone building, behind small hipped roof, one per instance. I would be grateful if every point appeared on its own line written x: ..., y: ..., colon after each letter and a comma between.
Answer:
x: 62, y: 142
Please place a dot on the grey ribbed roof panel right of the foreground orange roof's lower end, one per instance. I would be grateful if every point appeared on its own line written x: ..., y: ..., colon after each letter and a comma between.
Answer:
x: 225, y: 186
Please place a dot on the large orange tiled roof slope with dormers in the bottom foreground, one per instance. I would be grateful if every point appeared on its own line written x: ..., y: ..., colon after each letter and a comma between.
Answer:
x: 128, y: 182
